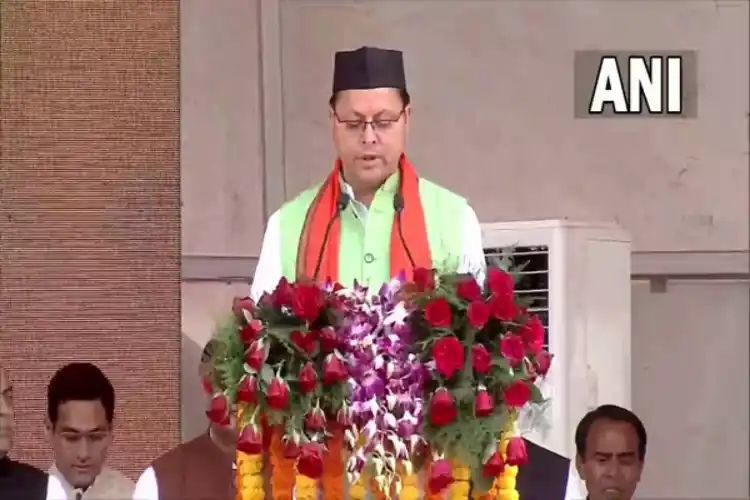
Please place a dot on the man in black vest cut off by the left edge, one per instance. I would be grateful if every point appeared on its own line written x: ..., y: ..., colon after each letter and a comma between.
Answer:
x: 19, y: 481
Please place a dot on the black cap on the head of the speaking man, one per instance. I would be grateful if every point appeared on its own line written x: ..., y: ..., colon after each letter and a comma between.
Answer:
x: 368, y: 68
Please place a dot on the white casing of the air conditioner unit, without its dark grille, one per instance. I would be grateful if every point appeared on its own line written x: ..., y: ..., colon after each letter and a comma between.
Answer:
x: 578, y: 274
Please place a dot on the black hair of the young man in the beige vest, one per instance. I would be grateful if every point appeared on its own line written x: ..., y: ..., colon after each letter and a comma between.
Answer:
x: 80, y: 382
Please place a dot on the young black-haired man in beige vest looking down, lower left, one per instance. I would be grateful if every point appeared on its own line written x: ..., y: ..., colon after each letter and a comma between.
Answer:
x: 80, y: 414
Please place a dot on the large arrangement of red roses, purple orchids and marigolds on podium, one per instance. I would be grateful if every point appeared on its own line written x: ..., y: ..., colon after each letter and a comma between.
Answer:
x: 411, y: 392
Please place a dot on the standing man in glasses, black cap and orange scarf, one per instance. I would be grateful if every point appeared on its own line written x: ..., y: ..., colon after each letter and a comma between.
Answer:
x: 373, y: 216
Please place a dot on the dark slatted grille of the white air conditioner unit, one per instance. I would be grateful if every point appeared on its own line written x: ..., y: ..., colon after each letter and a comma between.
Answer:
x: 533, y: 276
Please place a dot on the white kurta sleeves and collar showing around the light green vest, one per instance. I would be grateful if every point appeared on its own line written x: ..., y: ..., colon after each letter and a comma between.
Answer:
x: 268, y: 271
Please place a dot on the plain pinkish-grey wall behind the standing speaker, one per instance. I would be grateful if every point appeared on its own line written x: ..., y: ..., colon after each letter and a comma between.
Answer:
x: 492, y: 85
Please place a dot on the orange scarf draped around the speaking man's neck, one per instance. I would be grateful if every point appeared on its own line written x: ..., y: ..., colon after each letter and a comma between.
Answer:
x: 323, y: 210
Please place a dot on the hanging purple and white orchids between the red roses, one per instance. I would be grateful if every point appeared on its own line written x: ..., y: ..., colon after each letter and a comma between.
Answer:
x: 385, y: 385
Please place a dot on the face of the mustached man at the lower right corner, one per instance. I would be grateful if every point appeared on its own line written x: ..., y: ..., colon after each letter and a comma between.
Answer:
x: 611, y: 467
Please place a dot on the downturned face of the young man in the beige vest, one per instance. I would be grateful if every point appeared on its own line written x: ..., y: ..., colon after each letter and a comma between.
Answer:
x: 80, y: 439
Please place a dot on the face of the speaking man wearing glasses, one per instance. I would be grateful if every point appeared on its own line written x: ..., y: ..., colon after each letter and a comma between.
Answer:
x: 369, y: 152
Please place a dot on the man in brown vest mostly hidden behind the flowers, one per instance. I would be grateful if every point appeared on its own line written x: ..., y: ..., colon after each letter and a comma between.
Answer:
x: 201, y: 469
